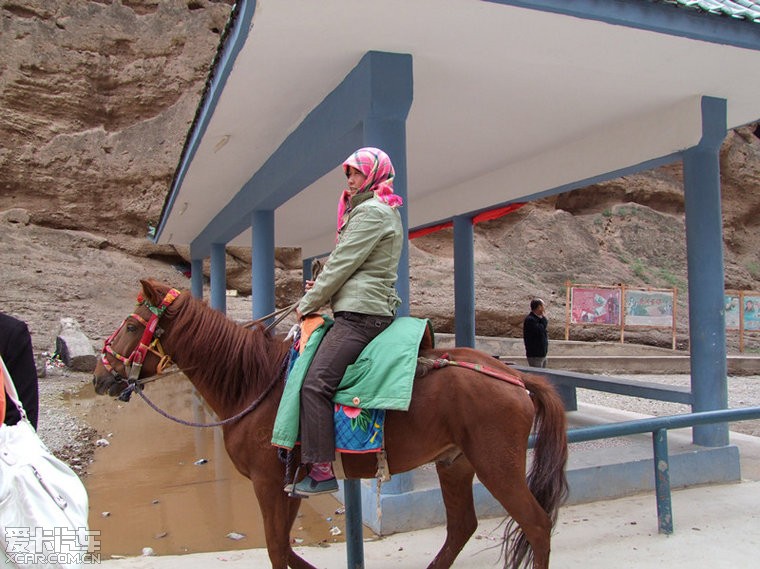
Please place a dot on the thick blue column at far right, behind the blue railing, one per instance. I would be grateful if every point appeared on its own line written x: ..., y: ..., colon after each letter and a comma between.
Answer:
x: 704, y: 251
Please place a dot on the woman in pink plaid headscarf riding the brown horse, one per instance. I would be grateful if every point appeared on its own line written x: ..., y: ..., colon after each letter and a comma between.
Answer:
x: 358, y: 281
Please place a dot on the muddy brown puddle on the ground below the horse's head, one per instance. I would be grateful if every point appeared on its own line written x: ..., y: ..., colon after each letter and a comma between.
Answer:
x: 172, y: 488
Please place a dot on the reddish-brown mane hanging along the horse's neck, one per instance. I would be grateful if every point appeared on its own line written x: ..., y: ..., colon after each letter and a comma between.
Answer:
x: 237, y: 363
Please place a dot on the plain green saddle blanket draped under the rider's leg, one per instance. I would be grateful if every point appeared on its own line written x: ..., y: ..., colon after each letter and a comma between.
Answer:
x: 381, y: 377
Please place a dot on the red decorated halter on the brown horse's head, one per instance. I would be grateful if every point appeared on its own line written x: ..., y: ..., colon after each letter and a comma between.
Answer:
x: 148, y: 343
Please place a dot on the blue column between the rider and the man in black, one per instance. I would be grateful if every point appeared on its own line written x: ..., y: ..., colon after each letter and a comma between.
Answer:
x: 464, y: 282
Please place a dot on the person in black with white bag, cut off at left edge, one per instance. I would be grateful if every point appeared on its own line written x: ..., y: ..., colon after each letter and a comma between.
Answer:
x: 16, y: 350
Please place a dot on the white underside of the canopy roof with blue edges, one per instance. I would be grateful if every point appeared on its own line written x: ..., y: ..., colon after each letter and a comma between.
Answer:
x: 511, y: 101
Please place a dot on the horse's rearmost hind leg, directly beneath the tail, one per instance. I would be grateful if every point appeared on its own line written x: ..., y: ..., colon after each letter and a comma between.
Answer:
x: 505, y: 479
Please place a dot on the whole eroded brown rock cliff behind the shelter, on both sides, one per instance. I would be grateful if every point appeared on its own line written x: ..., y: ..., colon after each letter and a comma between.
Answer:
x: 97, y: 97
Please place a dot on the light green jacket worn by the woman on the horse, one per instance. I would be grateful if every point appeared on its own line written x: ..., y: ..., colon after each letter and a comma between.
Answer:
x: 360, y: 274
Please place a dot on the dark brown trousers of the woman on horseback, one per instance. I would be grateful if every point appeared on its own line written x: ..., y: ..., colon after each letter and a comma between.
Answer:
x: 340, y: 347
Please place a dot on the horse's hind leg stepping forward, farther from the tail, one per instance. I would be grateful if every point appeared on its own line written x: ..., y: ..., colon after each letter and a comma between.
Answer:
x: 461, y: 521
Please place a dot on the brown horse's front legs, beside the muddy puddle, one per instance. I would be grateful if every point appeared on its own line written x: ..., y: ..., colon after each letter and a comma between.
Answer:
x: 279, y: 512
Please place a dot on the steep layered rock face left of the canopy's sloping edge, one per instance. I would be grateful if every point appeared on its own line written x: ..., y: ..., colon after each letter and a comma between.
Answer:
x: 97, y: 98
